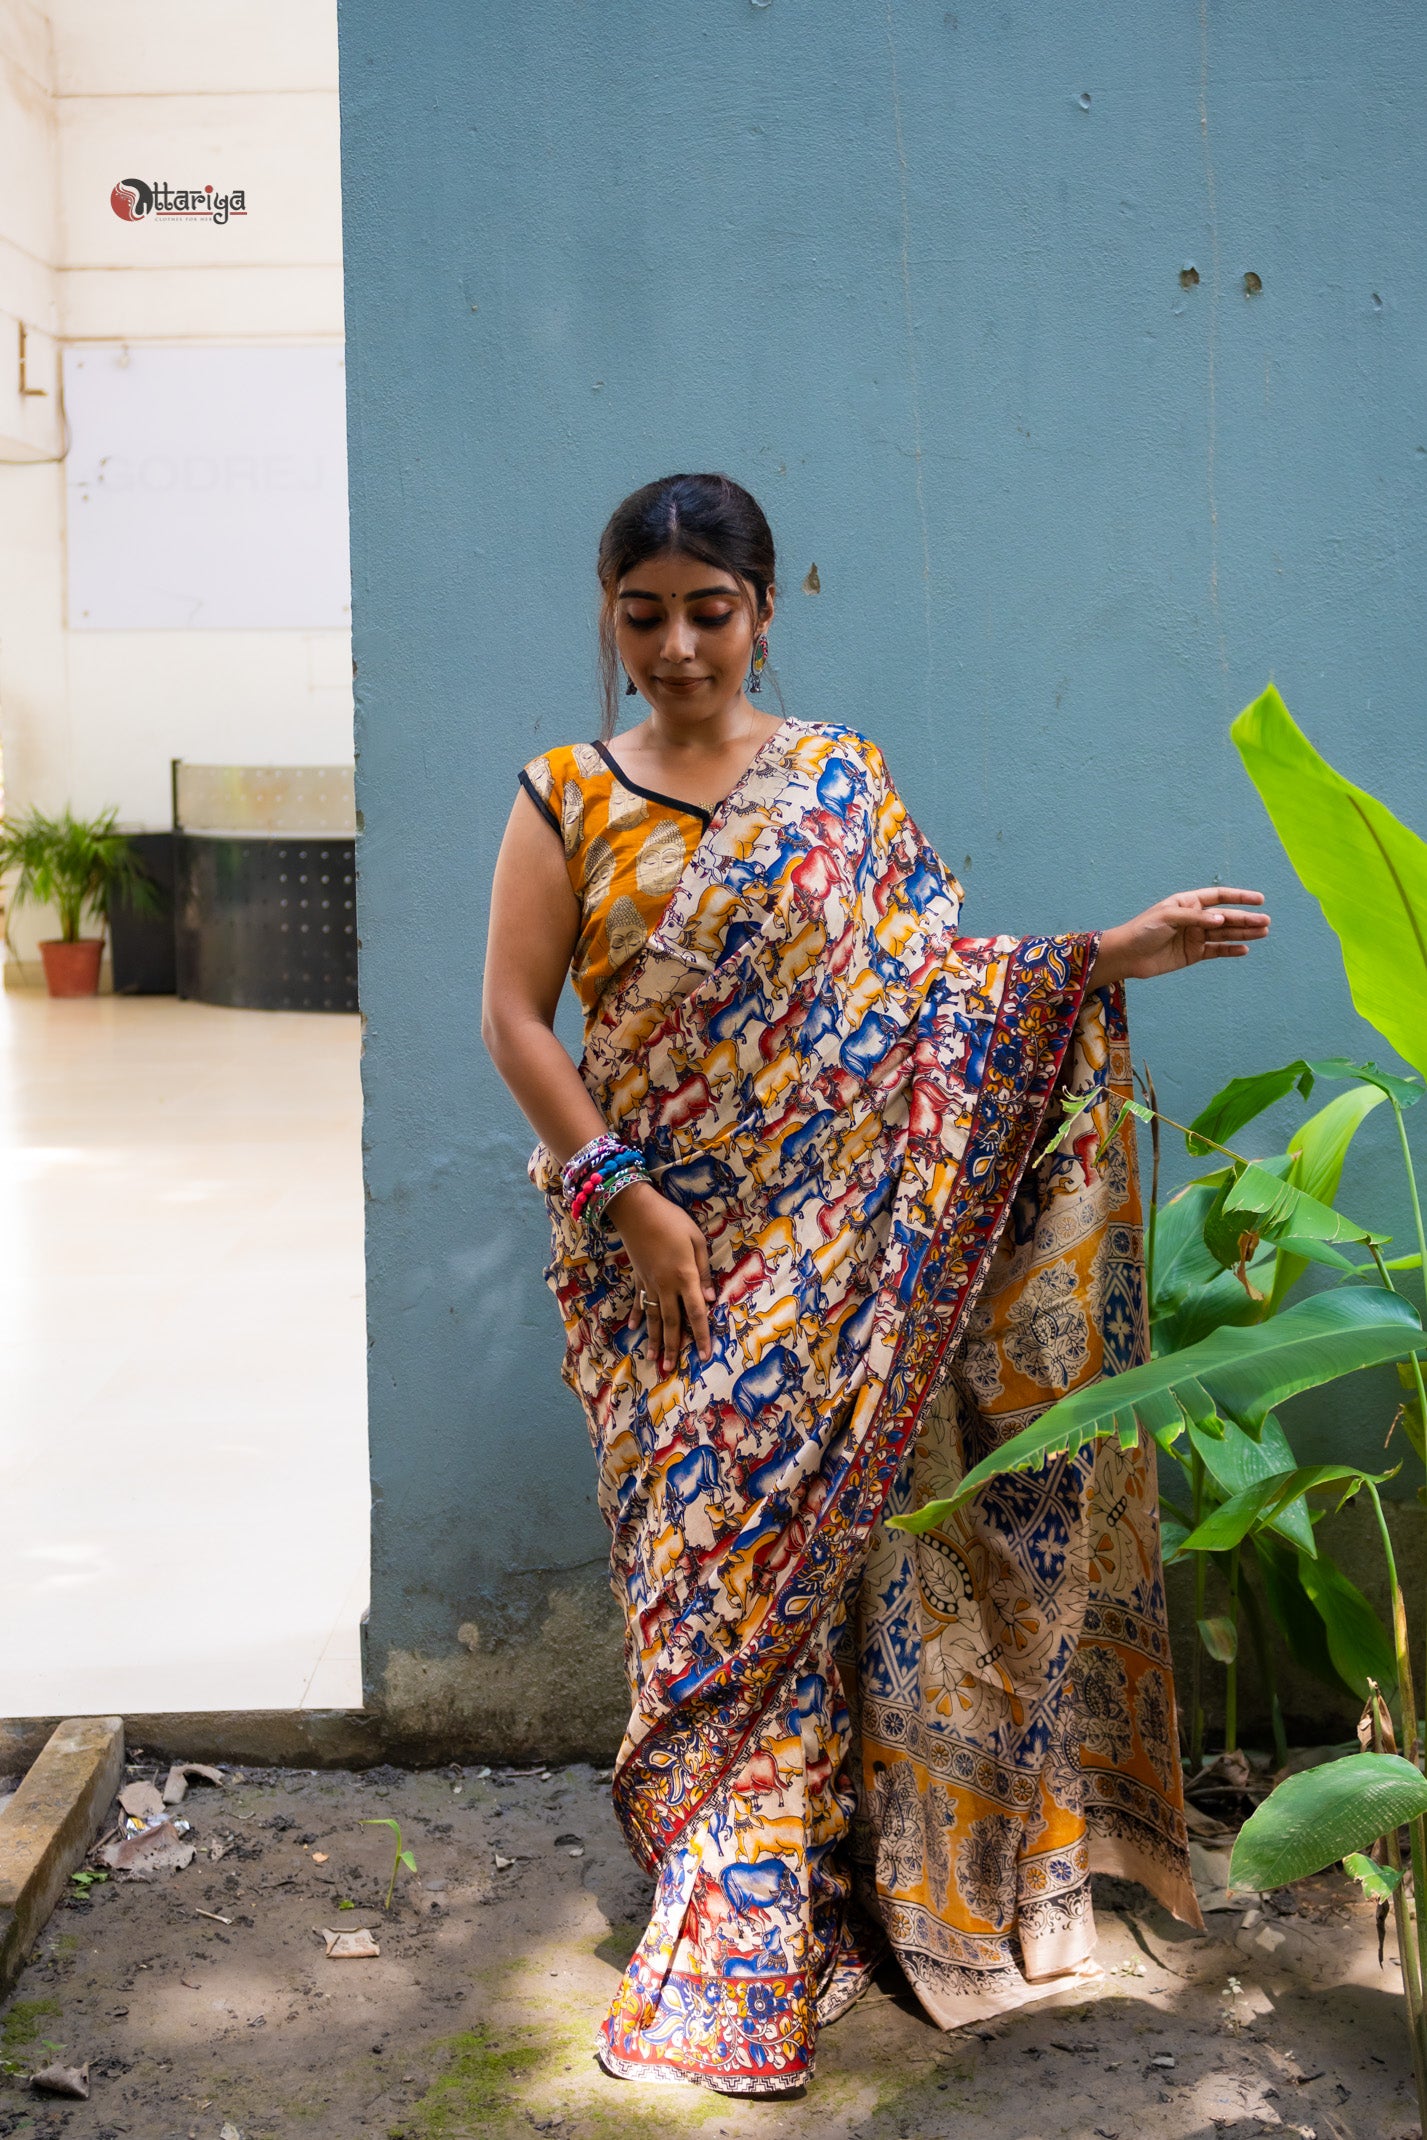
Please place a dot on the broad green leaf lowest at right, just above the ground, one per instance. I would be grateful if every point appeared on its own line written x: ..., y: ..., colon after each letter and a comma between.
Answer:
x: 1317, y: 1818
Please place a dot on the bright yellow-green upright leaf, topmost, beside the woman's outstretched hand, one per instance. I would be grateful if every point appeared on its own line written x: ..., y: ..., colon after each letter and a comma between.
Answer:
x: 1366, y: 870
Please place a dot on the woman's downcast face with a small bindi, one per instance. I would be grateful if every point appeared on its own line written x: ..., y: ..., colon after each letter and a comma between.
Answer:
x: 686, y: 637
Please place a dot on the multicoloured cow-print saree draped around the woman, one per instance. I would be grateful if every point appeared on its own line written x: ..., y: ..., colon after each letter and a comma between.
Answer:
x: 846, y: 1095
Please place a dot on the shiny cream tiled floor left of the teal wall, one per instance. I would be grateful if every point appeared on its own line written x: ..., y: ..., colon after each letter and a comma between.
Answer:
x: 183, y: 1403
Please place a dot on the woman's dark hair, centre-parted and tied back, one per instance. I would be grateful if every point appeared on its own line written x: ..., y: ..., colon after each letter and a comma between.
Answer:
x: 707, y: 517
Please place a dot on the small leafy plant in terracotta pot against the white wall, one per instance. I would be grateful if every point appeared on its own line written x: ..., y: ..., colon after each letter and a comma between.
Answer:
x: 76, y: 866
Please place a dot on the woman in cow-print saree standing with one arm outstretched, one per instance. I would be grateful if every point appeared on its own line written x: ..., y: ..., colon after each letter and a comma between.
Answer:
x: 812, y: 1266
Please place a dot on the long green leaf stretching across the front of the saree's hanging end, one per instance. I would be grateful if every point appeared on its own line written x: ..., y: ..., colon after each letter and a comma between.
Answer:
x: 1244, y: 1373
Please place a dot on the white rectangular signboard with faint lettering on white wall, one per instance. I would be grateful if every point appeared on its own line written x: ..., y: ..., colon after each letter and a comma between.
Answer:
x: 206, y: 487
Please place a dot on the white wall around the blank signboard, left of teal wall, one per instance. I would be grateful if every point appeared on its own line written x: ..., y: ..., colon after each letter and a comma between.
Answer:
x: 239, y: 93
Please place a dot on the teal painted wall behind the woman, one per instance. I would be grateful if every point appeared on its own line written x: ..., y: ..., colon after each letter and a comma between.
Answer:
x: 917, y: 277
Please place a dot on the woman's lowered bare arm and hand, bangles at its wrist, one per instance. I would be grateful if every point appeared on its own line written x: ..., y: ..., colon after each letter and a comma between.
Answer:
x: 534, y: 930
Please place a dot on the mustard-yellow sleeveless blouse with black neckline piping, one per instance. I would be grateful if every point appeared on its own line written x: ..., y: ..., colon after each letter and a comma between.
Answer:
x: 626, y: 851
